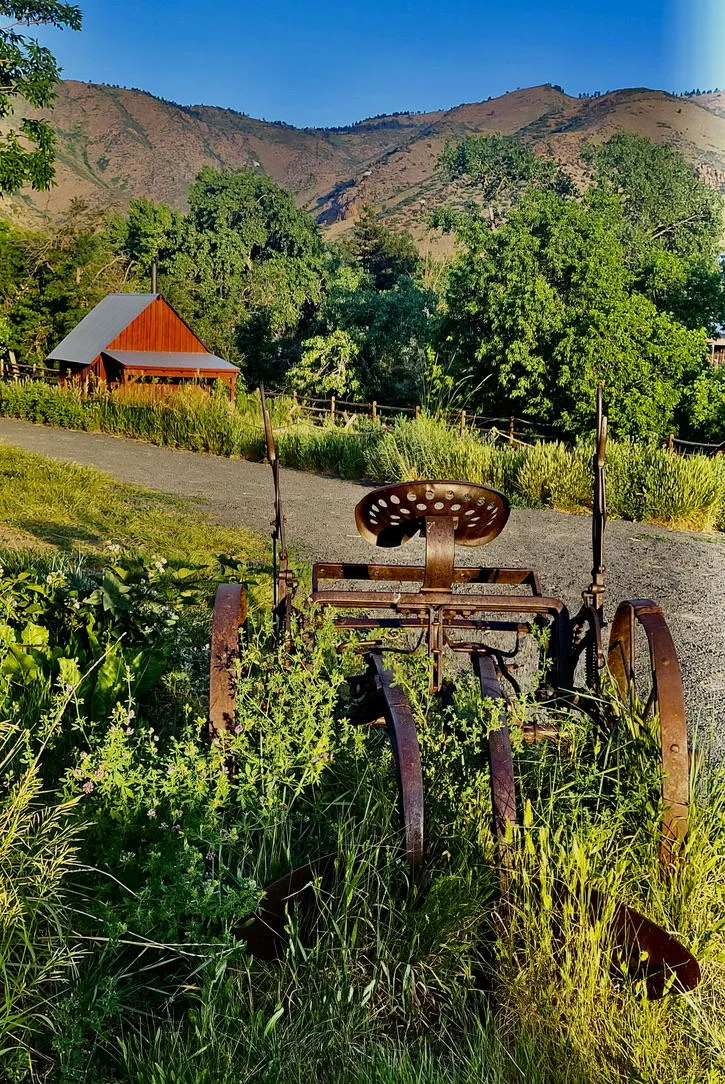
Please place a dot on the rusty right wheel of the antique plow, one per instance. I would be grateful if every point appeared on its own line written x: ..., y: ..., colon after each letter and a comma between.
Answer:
x: 667, y: 698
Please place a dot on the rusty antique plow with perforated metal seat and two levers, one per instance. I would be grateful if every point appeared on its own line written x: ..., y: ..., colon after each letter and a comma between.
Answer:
x: 447, y: 610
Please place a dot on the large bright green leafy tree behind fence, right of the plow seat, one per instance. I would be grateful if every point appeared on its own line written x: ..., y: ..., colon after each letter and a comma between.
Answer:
x: 545, y: 308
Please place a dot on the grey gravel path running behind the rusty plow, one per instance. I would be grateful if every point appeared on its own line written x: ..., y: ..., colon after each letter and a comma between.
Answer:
x: 685, y: 573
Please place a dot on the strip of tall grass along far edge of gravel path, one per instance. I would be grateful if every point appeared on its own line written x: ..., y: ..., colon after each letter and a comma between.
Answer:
x: 645, y: 483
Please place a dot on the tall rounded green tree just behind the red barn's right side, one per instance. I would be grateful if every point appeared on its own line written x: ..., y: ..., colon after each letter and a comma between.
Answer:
x: 249, y: 272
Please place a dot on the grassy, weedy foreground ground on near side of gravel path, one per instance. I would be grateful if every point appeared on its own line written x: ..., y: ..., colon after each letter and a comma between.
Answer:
x: 130, y: 856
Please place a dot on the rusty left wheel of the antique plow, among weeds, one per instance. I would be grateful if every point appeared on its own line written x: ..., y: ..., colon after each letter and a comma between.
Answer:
x: 230, y: 615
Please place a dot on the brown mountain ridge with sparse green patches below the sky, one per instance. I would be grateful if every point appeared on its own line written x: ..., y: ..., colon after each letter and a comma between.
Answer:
x: 115, y: 145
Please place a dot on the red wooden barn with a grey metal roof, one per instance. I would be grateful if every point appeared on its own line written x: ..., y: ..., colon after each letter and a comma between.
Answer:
x: 131, y: 338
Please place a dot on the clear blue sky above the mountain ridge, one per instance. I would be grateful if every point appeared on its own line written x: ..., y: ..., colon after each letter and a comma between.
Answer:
x: 333, y: 63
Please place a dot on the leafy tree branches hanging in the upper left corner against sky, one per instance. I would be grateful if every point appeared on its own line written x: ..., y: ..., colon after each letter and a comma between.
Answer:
x: 29, y: 72
